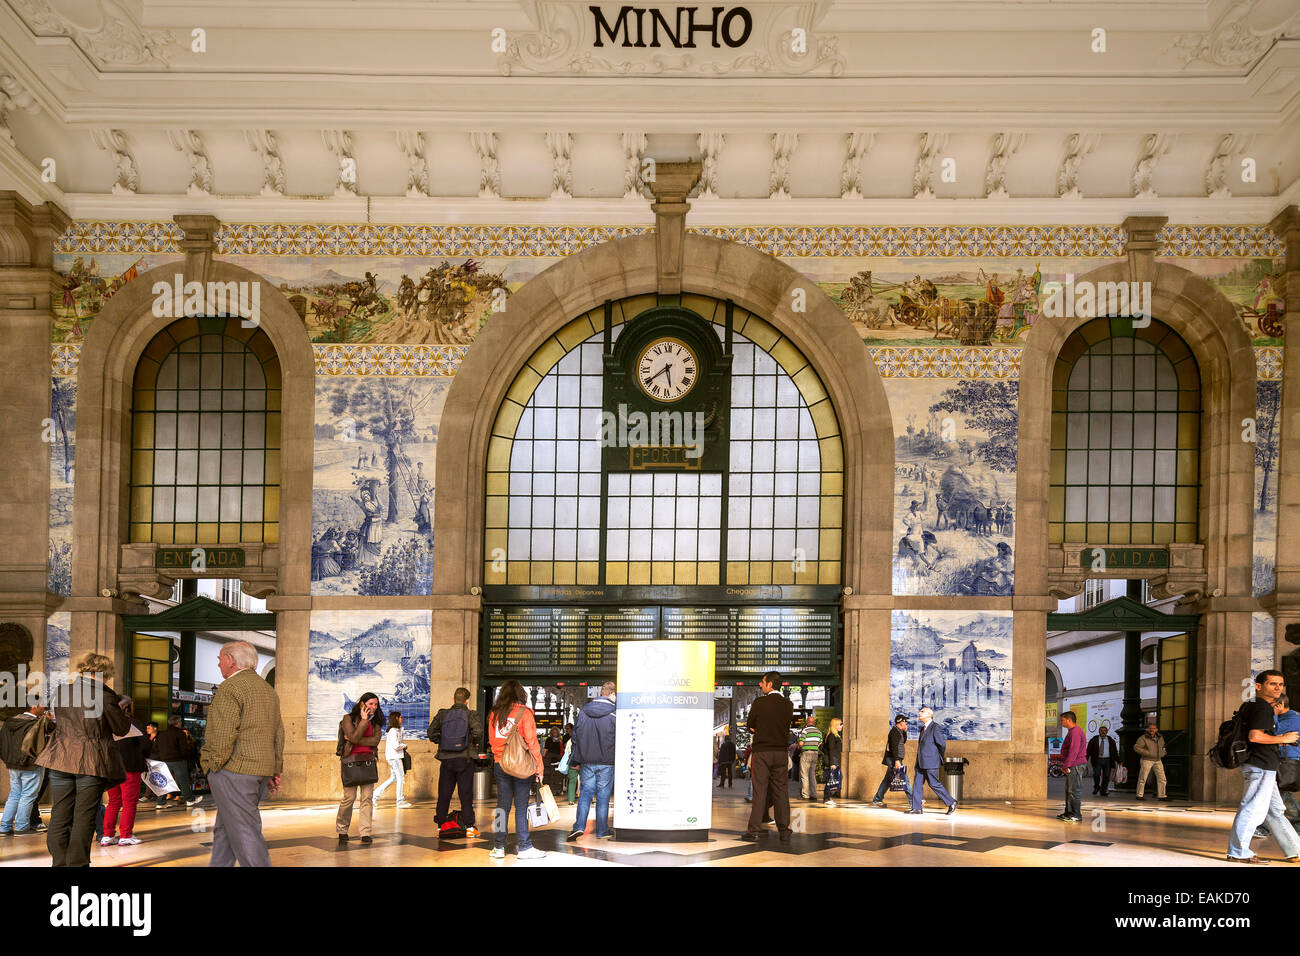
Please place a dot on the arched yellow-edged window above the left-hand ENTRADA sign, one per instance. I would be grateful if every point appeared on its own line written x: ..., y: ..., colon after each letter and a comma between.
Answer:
x: 206, y: 436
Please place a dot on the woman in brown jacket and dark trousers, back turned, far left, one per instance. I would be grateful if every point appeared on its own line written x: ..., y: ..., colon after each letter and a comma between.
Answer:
x: 83, y: 759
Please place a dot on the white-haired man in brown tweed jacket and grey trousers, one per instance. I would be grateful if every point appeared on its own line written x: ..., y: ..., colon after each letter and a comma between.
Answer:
x: 244, y: 747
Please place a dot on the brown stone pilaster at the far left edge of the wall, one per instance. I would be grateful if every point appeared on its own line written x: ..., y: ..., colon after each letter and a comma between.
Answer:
x: 28, y: 289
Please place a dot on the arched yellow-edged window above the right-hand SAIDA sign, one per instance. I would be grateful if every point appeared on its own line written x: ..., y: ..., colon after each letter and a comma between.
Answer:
x: 1126, y: 406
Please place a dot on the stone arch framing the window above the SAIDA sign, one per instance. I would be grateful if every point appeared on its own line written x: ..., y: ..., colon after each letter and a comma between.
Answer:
x: 1212, y: 330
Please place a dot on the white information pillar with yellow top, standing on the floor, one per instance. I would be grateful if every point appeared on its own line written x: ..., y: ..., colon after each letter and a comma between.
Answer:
x: 664, y: 750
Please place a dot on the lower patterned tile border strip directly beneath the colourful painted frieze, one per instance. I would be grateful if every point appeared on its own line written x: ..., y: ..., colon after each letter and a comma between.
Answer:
x: 913, y: 362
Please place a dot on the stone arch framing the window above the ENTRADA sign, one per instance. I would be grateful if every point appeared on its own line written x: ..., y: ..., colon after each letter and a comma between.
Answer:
x: 106, y: 373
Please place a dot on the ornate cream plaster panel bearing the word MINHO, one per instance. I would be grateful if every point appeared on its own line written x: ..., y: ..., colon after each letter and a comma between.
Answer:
x: 573, y: 40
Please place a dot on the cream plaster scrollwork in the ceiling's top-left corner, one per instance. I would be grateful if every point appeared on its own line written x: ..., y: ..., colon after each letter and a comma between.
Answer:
x: 105, y: 31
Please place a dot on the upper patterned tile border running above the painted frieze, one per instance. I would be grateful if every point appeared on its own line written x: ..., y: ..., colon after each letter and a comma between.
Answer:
x: 800, y: 243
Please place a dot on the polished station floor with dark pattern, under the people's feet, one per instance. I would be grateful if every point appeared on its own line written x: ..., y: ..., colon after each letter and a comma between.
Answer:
x: 1117, y: 832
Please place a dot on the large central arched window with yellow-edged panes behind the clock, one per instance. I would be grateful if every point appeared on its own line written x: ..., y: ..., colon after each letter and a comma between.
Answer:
x: 772, y: 517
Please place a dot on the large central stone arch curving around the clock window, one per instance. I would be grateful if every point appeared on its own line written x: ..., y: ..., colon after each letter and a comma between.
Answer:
x: 627, y: 267
